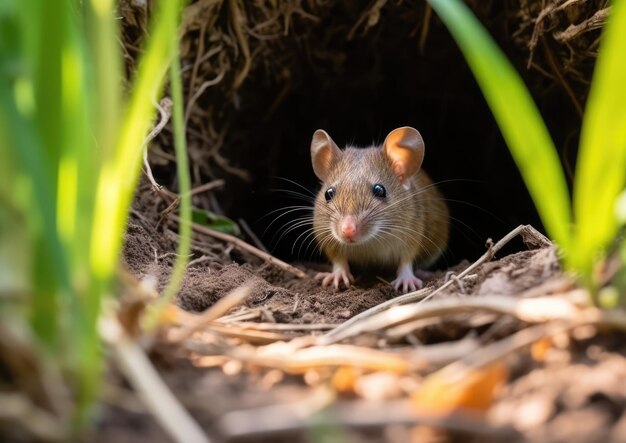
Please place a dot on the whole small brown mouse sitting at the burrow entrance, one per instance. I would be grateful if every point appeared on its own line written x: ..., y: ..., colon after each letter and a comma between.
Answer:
x: 377, y: 207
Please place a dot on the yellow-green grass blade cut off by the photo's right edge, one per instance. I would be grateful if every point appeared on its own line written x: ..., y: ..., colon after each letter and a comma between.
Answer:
x: 601, y: 165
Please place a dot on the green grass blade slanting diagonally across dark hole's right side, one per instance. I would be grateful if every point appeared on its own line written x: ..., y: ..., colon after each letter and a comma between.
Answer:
x: 520, y: 122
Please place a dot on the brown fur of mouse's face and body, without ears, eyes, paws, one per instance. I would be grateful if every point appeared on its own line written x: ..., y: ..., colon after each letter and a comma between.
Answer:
x: 415, y: 221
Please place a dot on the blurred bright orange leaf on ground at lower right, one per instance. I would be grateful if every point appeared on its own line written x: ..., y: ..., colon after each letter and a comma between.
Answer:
x: 443, y: 393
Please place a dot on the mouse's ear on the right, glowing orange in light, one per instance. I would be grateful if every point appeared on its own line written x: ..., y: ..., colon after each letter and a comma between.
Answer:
x: 404, y: 147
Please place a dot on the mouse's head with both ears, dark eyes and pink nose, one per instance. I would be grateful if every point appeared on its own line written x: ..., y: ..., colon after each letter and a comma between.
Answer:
x: 359, y: 184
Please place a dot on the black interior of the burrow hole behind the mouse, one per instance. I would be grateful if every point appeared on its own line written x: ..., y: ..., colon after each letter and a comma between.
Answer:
x: 360, y: 91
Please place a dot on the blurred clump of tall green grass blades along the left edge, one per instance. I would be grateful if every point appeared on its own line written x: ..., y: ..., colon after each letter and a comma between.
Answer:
x: 69, y: 159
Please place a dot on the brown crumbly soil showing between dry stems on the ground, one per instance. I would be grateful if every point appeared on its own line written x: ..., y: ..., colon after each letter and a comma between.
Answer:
x: 574, y: 394
